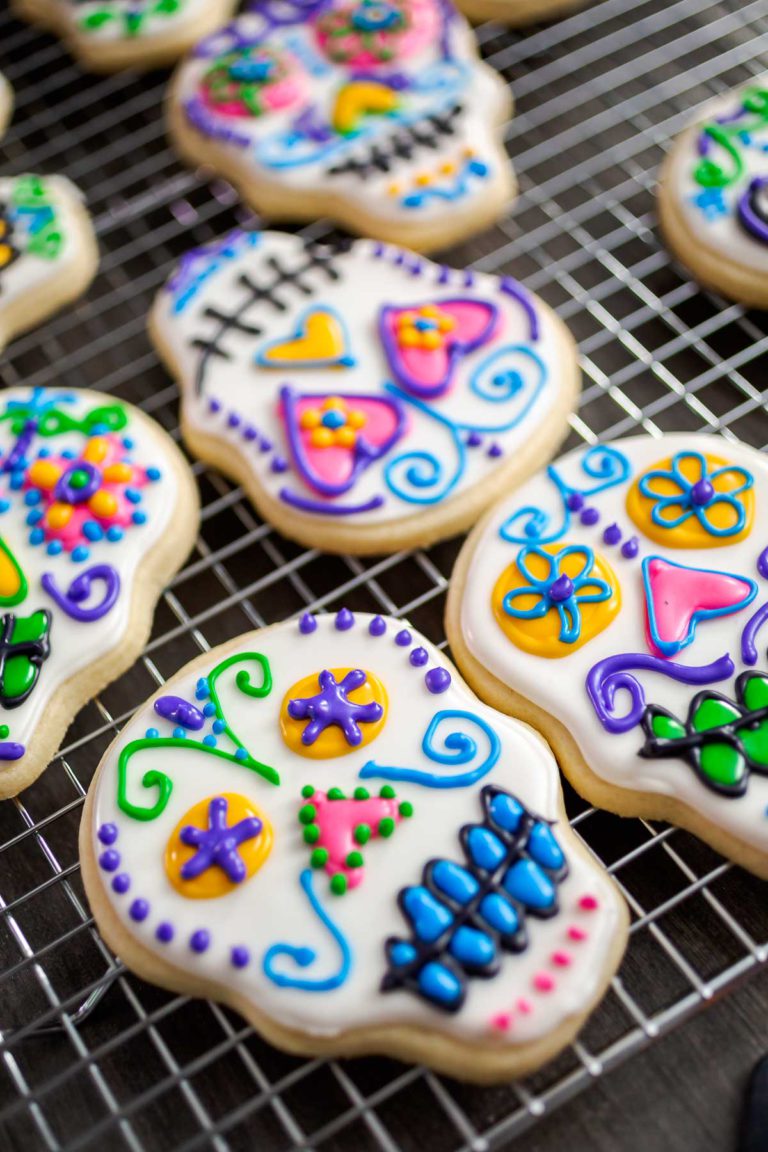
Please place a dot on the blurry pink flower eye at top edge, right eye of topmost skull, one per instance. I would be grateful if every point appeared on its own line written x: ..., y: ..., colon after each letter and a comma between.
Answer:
x: 375, y: 33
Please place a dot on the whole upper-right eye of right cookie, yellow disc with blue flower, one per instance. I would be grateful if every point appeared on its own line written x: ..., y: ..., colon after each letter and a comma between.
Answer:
x: 694, y: 502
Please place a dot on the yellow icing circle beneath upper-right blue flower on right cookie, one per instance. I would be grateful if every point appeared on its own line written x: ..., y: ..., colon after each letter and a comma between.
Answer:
x: 691, y: 533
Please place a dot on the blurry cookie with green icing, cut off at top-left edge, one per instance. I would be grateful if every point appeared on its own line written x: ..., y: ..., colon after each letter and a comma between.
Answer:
x: 109, y: 35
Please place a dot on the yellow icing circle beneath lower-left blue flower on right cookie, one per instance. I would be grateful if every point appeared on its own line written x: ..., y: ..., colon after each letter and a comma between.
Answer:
x: 542, y: 636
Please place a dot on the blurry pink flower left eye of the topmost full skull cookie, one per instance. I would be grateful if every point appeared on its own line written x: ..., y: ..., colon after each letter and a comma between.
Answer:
x: 253, y: 81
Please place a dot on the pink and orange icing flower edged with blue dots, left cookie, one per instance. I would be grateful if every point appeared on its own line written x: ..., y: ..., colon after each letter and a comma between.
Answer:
x: 81, y: 501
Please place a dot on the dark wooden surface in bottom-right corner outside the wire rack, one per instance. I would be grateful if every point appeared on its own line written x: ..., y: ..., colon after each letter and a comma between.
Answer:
x: 683, y: 1095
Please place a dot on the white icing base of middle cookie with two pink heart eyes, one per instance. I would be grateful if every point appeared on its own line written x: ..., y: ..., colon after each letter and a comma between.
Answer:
x: 371, y: 276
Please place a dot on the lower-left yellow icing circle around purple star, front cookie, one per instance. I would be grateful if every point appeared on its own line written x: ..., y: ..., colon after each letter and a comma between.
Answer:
x: 215, y: 882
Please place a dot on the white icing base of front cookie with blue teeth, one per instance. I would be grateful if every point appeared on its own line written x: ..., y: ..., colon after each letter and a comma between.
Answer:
x: 271, y: 907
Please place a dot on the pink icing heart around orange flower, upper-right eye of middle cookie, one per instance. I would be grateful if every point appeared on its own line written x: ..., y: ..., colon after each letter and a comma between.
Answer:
x: 429, y: 372
